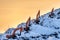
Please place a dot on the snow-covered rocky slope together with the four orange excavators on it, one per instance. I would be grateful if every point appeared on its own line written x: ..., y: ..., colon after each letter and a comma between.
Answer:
x: 45, y: 27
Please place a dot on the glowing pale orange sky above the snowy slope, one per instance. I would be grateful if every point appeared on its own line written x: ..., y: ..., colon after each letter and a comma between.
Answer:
x: 13, y: 12
